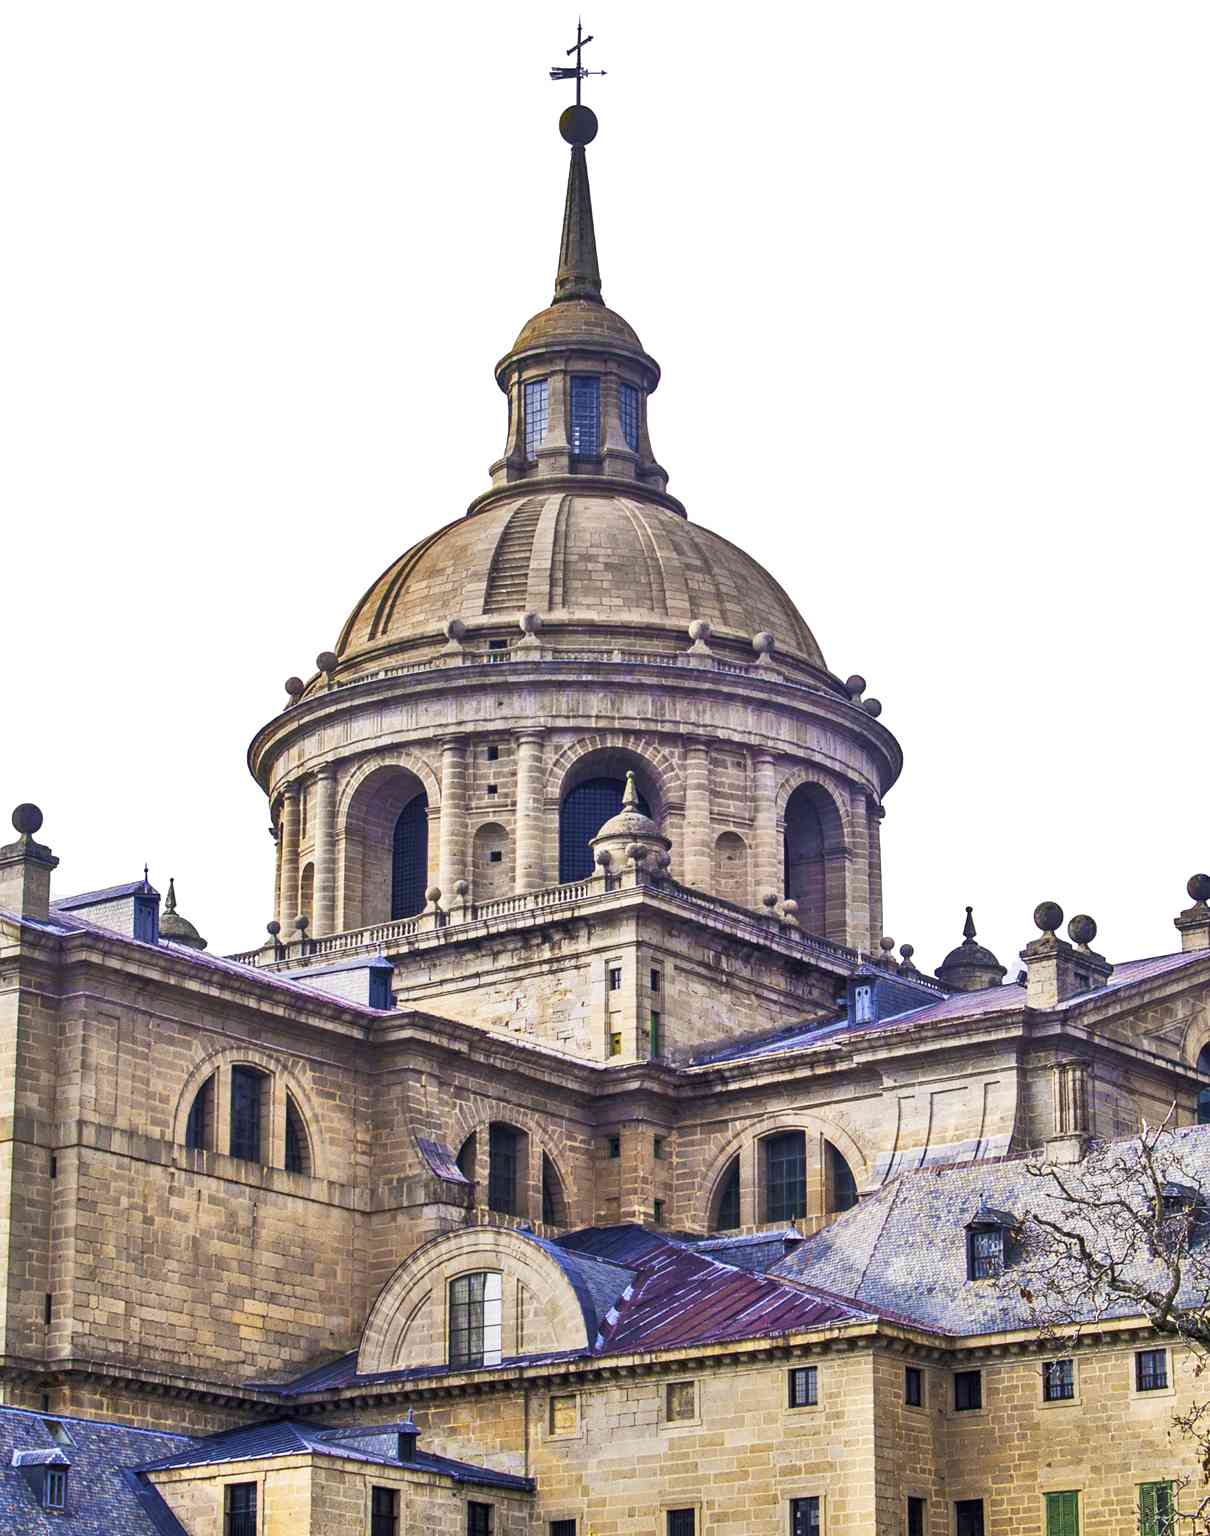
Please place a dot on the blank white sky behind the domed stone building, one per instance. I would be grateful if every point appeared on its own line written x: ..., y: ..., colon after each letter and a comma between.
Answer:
x: 930, y: 290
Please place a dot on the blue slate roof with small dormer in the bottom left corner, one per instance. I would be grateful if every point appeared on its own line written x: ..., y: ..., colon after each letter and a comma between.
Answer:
x: 104, y: 1497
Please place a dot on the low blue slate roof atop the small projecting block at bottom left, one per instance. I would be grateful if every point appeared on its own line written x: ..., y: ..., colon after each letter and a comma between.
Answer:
x: 375, y: 1445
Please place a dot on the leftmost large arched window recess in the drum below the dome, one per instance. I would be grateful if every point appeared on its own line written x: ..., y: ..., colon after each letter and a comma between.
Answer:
x: 388, y: 855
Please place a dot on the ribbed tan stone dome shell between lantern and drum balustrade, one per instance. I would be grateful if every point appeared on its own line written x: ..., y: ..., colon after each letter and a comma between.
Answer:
x: 601, y: 558
